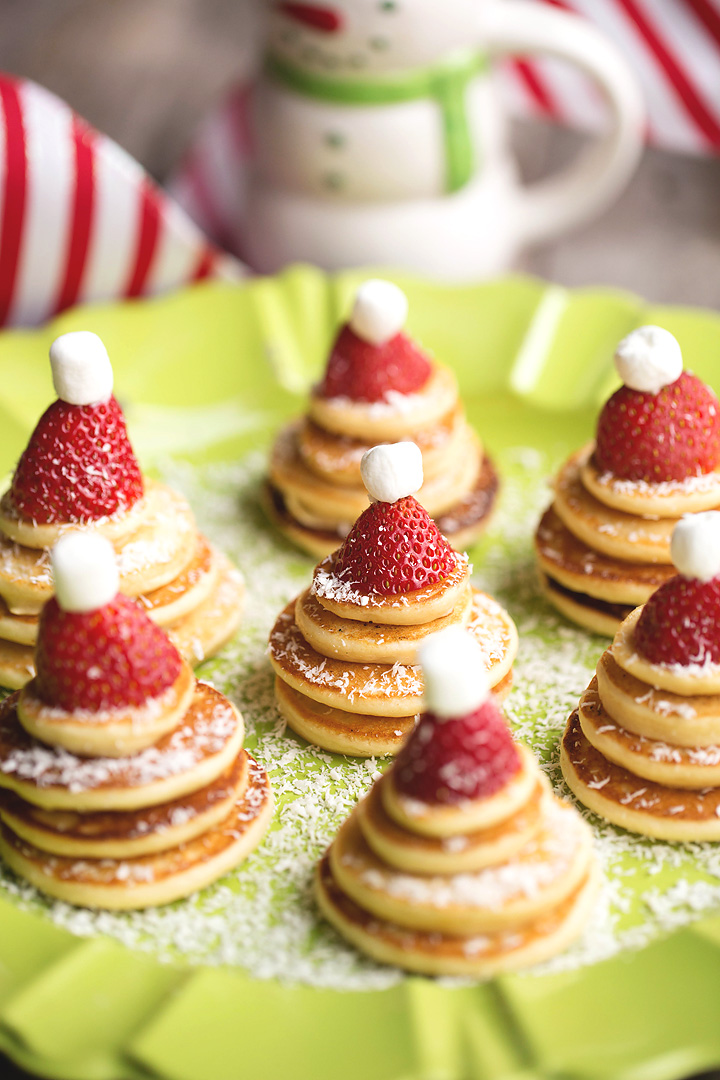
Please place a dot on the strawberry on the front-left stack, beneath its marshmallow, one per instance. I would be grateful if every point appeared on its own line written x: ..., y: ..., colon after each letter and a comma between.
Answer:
x: 113, y: 657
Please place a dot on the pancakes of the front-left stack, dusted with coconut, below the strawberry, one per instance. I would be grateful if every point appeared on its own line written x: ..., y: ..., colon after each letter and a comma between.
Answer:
x: 130, y: 807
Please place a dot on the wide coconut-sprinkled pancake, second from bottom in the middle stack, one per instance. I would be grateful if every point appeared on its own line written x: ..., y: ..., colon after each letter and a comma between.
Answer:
x: 382, y: 690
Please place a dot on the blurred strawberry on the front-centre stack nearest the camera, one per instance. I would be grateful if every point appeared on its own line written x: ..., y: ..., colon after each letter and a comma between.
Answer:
x: 468, y: 758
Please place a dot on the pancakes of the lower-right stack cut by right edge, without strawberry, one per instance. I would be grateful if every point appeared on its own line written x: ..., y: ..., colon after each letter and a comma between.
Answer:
x: 643, y: 749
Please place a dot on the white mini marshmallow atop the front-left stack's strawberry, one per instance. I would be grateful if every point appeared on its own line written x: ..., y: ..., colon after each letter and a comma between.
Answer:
x: 85, y: 572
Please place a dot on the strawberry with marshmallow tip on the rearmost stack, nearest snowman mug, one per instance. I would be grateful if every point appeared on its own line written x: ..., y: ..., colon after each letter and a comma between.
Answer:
x: 372, y: 357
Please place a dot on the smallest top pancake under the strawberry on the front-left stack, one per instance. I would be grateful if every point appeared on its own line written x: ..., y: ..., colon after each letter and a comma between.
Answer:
x: 112, y: 733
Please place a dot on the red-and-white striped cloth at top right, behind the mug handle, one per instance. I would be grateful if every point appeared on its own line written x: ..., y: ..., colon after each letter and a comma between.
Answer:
x: 675, y: 49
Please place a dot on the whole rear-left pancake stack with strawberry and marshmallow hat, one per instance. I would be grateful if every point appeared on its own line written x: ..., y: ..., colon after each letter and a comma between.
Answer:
x: 79, y: 471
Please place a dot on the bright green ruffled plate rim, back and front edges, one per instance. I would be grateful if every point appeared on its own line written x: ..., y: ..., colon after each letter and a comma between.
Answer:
x: 534, y: 362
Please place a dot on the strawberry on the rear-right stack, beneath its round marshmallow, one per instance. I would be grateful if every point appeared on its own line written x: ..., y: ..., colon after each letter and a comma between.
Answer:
x: 665, y: 437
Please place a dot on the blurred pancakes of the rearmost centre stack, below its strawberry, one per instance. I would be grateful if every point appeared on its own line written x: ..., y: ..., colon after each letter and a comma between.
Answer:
x: 315, y: 491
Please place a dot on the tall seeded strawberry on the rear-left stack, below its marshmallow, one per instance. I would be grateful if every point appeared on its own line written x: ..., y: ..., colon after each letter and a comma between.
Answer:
x: 78, y: 467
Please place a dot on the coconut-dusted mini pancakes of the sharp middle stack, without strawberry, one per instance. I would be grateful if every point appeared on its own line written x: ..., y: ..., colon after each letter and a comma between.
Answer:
x: 345, y: 660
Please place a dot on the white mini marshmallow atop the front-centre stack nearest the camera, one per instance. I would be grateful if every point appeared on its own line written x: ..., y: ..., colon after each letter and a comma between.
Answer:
x: 454, y: 672
